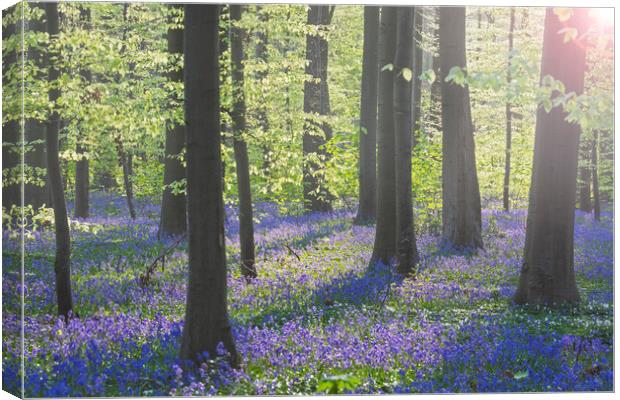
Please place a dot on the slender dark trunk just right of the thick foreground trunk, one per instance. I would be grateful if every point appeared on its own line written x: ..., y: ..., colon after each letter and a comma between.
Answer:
x: 246, y: 224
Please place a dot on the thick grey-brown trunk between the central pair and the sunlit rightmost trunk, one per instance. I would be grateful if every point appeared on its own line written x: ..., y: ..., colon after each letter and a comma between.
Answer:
x: 461, y: 195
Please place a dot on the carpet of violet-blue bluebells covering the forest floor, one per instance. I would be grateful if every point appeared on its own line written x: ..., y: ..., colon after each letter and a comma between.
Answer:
x: 317, y: 319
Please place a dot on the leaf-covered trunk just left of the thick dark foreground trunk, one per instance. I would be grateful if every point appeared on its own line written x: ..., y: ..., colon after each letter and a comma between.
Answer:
x: 173, y: 206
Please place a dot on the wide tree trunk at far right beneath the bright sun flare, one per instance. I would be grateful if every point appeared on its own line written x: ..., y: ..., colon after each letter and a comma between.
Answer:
x: 547, y: 275
